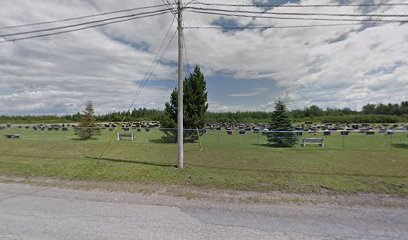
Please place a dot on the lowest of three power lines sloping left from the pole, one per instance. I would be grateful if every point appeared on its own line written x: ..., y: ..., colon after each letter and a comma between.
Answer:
x: 82, y: 28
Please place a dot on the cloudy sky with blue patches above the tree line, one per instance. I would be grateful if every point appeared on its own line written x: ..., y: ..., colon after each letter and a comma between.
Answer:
x: 245, y: 69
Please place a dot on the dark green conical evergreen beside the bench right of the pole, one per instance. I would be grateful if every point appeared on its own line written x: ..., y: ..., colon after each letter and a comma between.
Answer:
x: 281, y: 122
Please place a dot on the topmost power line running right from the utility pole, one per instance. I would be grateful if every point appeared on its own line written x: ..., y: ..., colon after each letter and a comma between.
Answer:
x: 301, y: 5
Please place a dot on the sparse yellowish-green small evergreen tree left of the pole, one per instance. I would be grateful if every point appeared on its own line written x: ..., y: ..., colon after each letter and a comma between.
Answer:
x: 88, y: 127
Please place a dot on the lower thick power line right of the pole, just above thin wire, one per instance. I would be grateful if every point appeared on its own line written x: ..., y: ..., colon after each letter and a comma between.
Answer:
x: 298, y: 18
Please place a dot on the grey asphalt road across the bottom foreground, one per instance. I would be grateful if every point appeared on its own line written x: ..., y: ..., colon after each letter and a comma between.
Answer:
x: 50, y: 213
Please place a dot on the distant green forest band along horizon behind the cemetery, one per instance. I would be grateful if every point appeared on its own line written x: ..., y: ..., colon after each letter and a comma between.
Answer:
x: 370, y: 113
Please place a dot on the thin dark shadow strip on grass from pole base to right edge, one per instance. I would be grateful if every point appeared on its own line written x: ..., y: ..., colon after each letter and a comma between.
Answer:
x: 288, y: 172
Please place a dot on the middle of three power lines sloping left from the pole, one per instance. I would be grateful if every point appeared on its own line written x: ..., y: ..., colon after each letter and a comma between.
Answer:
x: 81, y: 24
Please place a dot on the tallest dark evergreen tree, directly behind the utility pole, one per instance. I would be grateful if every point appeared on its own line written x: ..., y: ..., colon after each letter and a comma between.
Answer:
x: 195, y: 108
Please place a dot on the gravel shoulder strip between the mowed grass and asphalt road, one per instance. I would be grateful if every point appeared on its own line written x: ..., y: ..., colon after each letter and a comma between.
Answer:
x: 179, y: 196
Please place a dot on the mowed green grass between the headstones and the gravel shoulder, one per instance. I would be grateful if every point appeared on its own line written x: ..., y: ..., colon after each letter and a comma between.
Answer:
x: 351, y: 164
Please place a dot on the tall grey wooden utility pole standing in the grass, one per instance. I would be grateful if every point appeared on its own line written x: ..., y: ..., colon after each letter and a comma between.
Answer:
x: 180, y: 129
